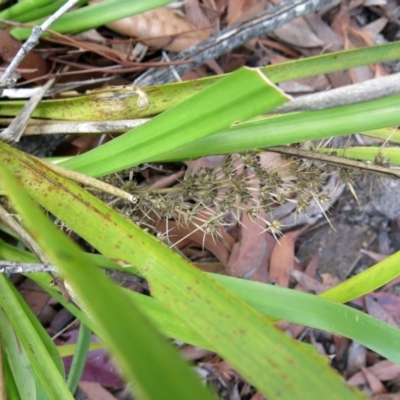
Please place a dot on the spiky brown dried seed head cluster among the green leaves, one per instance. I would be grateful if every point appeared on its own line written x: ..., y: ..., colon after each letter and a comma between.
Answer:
x: 210, y: 199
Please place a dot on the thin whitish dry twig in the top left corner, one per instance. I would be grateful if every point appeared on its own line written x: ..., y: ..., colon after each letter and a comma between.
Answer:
x: 32, y: 41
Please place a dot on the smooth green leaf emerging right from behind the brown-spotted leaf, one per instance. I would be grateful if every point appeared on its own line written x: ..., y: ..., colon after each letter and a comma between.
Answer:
x: 316, y: 312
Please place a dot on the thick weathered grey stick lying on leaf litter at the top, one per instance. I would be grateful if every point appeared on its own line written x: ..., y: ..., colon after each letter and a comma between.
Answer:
x: 232, y: 37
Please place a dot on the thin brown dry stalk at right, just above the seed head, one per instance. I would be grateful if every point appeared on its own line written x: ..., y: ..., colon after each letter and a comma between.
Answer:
x: 338, y: 161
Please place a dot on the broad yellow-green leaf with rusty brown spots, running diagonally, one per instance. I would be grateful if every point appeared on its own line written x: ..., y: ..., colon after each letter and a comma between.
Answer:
x: 241, y: 335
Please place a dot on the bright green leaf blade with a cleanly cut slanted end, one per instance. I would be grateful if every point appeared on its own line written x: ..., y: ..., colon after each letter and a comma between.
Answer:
x: 239, y: 96
